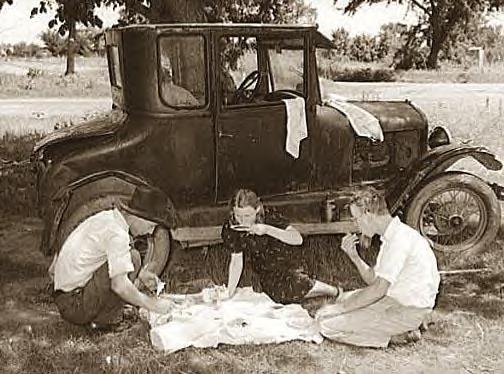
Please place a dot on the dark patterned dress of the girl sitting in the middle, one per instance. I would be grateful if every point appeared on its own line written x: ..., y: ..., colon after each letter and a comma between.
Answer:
x: 280, y: 278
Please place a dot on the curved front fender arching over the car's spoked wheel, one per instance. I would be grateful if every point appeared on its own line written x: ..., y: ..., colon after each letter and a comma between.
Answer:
x: 433, y: 163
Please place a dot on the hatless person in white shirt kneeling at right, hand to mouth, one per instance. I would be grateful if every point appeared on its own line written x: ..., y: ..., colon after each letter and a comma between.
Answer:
x: 402, y: 286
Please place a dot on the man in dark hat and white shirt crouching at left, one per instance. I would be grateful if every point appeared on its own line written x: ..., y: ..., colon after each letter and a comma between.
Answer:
x: 96, y: 271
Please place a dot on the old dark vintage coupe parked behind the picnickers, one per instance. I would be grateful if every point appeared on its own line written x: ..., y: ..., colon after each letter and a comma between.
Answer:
x: 200, y: 110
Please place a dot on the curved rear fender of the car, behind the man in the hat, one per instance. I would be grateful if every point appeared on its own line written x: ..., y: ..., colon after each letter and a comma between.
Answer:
x: 90, y: 194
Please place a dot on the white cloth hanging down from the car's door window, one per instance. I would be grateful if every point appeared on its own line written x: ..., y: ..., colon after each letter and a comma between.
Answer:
x: 297, y: 129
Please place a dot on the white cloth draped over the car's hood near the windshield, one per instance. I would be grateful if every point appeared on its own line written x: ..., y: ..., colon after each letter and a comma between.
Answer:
x: 363, y: 123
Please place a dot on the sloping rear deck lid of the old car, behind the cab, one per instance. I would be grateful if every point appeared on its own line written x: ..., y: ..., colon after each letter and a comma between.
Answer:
x: 103, y: 125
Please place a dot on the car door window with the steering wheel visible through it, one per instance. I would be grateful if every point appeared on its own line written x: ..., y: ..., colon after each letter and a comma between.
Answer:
x: 253, y: 70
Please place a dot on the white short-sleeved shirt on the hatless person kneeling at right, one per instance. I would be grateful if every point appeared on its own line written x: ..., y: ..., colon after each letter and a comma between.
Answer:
x: 406, y: 261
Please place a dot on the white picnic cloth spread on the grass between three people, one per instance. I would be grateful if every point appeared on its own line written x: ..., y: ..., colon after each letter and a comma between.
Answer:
x: 247, y: 318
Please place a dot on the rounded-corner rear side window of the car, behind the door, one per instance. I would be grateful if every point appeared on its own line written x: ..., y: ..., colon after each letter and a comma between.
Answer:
x: 182, y: 71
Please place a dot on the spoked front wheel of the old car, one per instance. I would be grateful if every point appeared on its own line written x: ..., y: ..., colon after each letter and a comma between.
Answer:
x: 458, y: 212
